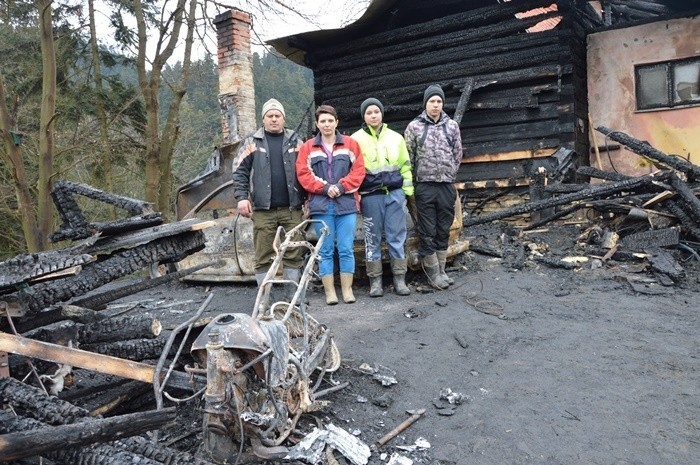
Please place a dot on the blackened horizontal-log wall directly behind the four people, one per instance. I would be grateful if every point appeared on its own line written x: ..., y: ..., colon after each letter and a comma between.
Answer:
x: 521, y: 105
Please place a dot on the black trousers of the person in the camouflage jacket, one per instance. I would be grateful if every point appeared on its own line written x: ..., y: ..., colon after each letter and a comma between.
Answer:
x: 435, y: 205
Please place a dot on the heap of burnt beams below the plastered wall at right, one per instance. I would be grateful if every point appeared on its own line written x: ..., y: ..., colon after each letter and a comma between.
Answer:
x: 653, y: 218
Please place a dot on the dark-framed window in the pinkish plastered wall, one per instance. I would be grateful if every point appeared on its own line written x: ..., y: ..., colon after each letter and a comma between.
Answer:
x: 668, y: 84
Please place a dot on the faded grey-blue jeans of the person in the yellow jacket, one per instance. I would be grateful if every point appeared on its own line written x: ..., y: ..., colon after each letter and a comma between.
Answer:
x: 384, y: 214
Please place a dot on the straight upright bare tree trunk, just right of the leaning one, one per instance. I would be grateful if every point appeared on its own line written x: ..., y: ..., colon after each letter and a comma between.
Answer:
x: 46, y: 133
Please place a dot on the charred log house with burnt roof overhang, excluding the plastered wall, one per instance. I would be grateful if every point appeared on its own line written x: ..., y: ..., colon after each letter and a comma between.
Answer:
x: 515, y: 75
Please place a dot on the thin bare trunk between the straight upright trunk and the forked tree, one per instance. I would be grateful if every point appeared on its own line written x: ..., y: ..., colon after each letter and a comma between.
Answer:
x: 103, y: 169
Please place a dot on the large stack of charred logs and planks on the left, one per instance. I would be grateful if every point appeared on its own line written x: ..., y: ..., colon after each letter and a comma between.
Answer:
x: 53, y: 309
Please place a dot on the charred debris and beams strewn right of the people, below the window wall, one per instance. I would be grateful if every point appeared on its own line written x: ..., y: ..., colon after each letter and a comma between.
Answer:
x: 652, y: 221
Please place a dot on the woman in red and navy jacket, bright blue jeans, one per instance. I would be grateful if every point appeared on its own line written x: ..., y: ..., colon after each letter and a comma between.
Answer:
x: 330, y: 168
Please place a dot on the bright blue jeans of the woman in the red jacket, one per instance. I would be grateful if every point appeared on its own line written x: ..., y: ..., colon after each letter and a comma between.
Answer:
x: 342, y: 236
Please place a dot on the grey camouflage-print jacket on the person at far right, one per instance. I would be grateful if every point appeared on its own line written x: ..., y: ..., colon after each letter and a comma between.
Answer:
x: 435, y: 148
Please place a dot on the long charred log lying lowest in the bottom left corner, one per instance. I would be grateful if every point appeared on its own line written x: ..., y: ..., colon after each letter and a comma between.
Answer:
x: 32, y: 438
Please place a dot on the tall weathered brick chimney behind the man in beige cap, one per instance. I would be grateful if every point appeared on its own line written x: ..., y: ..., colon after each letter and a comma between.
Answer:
x: 236, y: 87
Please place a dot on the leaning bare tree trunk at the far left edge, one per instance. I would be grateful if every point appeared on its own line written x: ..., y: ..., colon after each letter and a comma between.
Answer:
x: 12, y: 155
